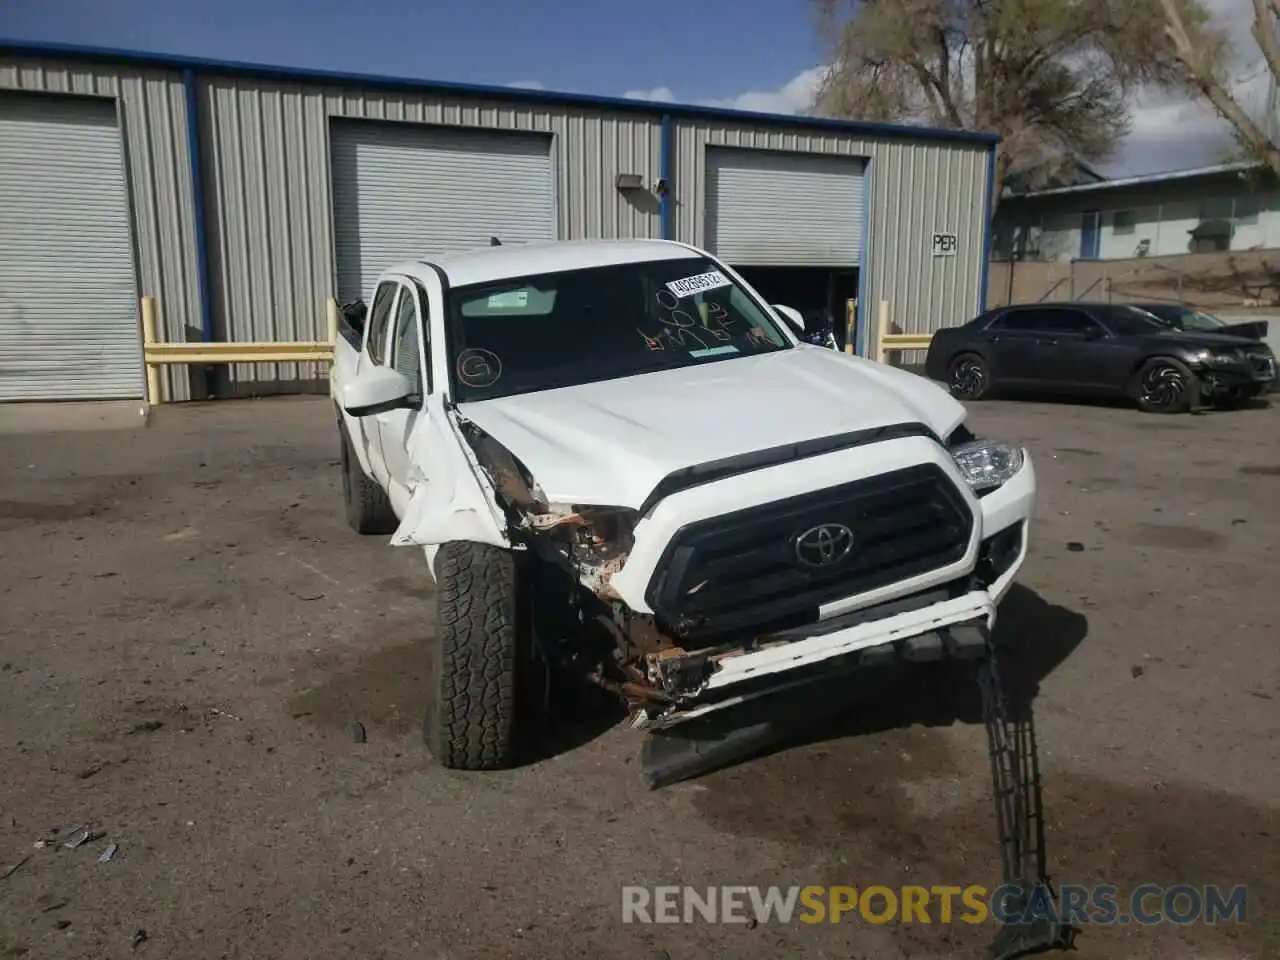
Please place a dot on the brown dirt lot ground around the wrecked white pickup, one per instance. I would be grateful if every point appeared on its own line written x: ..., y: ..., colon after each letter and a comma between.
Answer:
x: 188, y: 628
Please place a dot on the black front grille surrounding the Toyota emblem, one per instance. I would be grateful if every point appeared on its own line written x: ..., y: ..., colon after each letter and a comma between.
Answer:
x: 742, y: 570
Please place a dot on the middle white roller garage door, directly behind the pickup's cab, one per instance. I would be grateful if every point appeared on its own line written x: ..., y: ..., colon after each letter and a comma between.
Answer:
x: 405, y: 191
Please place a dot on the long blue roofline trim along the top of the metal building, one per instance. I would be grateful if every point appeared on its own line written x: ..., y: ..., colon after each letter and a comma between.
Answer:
x: 514, y: 94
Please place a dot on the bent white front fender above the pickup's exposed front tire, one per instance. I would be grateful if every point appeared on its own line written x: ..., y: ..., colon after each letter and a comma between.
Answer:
x: 456, y: 501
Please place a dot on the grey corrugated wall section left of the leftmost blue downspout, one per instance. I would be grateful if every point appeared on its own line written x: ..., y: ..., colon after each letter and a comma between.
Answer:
x: 154, y: 115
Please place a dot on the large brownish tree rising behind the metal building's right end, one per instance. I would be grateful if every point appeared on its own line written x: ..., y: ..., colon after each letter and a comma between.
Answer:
x: 1053, y: 77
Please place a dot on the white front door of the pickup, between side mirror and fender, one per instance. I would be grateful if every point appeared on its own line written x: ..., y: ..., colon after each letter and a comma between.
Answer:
x: 408, y: 355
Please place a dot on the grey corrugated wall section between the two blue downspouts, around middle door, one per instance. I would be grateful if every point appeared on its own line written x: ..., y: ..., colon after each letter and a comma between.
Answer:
x: 271, y: 214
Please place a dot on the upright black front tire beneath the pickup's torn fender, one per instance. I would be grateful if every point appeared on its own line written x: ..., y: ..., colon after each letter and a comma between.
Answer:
x: 482, y: 648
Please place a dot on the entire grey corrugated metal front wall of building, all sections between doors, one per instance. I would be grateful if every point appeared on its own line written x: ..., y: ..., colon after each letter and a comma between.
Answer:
x: 266, y: 156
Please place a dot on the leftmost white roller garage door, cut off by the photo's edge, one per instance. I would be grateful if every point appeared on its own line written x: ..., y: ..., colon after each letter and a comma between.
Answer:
x: 68, y: 300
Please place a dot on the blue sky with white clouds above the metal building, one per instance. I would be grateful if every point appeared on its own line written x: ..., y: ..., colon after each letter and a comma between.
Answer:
x: 706, y: 52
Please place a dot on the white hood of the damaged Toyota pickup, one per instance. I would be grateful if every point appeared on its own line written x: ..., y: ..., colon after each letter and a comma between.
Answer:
x: 611, y: 442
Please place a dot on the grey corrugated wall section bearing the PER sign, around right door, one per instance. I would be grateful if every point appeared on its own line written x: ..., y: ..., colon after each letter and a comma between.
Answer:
x: 916, y: 190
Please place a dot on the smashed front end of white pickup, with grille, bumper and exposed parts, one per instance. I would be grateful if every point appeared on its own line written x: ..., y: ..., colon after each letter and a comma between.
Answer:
x: 726, y: 619
